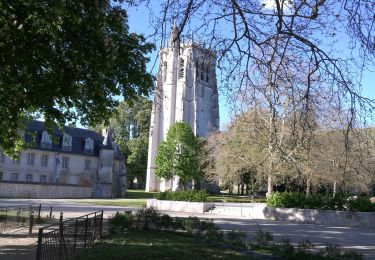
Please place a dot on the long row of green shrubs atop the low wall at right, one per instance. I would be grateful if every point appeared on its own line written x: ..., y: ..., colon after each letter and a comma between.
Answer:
x: 320, y: 201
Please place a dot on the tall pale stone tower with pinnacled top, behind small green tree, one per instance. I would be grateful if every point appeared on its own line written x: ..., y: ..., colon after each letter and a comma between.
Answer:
x: 186, y: 90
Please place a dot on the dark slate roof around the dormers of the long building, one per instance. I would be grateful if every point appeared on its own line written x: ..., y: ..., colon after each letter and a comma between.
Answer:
x: 35, y: 129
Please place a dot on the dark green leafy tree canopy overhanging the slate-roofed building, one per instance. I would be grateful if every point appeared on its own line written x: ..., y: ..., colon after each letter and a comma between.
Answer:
x: 66, y: 61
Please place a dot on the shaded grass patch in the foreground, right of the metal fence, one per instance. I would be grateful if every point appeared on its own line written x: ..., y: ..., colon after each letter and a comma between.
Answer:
x: 136, y: 244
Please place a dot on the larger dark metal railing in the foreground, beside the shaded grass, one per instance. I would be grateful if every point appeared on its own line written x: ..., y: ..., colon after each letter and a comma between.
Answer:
x: 66, y: 239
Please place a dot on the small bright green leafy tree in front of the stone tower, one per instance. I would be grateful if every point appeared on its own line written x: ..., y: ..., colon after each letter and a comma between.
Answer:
x: 179, y: 154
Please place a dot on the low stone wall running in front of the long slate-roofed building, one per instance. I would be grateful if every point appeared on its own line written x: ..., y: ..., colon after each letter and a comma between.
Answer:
x: 43, y: 191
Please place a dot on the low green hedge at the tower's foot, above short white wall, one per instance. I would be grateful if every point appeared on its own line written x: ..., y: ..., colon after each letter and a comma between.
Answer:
x: 184, y: 195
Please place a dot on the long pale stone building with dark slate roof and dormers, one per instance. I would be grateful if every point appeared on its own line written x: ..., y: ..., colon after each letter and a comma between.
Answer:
x: 78, y: 158
